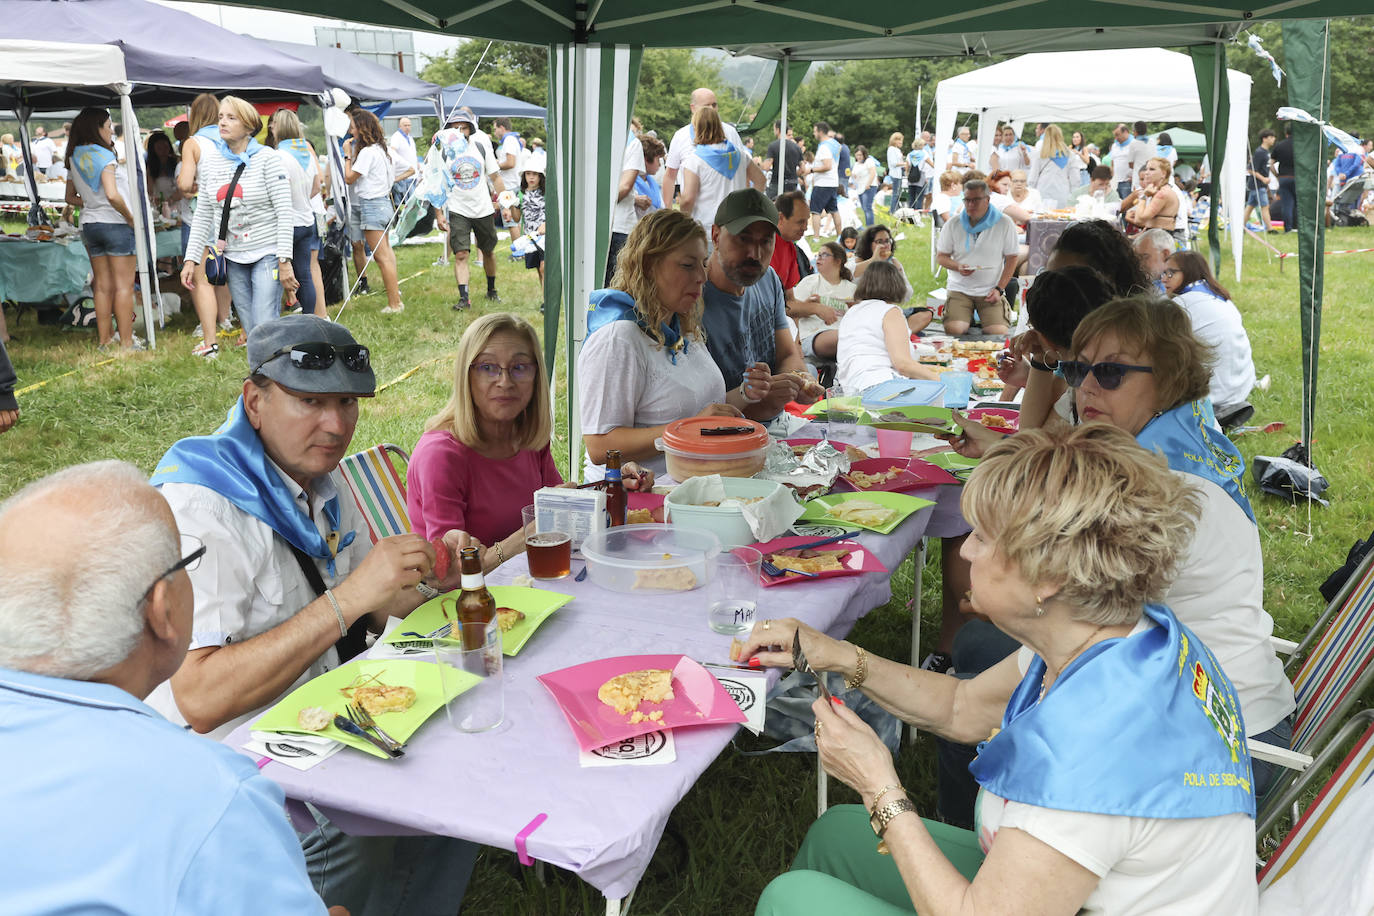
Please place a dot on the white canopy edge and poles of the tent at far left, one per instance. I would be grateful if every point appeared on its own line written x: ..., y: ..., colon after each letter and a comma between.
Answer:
x: 46, y: 64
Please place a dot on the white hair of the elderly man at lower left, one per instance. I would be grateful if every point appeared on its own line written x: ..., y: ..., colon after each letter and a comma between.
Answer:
x: 83, y: 613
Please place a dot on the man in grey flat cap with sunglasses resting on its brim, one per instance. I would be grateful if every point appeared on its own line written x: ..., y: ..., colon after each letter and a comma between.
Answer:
x: 289, y: 569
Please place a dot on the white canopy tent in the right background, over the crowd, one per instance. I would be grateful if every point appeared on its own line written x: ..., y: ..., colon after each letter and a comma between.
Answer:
x: 1131, y: 84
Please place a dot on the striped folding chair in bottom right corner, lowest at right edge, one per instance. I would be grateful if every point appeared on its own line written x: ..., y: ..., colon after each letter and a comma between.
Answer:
x: 1355, y: 771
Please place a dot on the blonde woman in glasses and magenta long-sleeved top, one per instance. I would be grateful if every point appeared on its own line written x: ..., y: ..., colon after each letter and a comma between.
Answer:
x: 484, y: 455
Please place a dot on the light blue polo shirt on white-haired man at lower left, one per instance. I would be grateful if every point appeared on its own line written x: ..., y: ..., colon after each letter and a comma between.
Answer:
x: 112, y: 810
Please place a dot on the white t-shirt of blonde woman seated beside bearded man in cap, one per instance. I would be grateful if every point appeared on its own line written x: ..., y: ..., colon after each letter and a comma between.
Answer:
x: 624, y: 378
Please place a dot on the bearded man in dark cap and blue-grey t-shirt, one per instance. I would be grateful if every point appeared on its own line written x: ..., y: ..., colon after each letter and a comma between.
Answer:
x: 745, y: 317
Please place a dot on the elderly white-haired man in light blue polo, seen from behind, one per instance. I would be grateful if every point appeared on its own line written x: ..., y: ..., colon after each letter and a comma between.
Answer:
x: 120, y: 811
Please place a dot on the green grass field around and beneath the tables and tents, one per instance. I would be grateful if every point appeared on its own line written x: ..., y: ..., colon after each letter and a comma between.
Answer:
x: 745, y: 819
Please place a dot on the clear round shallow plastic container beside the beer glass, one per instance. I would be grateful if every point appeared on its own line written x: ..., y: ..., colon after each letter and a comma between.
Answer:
x: 651, y: 560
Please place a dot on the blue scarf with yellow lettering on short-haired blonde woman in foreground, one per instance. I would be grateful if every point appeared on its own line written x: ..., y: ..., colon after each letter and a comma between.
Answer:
x: 1140, y: 727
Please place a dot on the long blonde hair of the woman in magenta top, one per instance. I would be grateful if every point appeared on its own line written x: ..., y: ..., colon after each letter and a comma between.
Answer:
x: 460, y: 417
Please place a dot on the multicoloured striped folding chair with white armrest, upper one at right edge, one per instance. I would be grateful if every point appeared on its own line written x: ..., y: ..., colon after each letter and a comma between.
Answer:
x: 1331, y: 671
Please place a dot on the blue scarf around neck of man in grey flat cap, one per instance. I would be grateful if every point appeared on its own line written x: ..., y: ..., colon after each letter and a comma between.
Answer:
x: 233, y: 463
